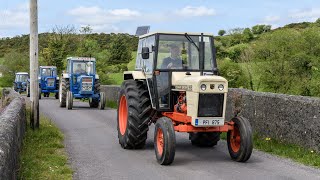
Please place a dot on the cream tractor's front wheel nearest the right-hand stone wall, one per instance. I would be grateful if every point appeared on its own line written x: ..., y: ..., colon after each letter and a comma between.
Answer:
x: 240, y: 140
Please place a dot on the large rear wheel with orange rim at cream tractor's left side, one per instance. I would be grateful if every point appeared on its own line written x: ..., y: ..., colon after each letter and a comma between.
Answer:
x: 134, y: 113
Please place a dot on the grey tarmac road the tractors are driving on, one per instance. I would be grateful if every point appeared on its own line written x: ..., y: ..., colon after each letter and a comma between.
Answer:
x: 94, y: 152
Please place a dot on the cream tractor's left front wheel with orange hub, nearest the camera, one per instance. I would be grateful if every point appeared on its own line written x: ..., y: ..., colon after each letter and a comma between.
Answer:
x: 164, y: 141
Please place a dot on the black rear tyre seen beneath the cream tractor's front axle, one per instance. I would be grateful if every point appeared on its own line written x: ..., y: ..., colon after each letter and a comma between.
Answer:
x: 204, y: 139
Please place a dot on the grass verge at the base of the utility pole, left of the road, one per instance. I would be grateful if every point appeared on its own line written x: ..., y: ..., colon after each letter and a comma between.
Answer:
x: 43, y: 155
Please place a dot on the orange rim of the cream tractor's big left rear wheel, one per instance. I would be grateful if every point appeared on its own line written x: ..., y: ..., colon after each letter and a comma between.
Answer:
x: 123, y: 115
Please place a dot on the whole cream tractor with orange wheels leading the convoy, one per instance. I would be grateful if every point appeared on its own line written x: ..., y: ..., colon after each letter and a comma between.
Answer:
x: 176, y: 86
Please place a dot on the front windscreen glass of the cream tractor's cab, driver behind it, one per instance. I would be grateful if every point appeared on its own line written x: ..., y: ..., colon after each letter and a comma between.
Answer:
x: 177, y: 52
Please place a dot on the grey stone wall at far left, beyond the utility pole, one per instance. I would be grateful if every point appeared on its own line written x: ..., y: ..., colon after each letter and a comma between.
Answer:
x: 12, y: 129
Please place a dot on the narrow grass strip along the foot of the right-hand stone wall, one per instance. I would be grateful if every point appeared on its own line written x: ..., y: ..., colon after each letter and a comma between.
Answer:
x: 296, y: 153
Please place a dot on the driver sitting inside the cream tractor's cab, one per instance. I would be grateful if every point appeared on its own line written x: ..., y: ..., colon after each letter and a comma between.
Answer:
x: 174, y: 61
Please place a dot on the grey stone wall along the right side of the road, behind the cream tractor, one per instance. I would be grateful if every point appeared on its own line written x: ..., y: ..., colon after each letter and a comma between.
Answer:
x: 293, y: 119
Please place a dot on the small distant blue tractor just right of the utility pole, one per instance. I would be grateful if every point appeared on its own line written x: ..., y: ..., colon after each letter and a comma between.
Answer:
x: 48, y: 81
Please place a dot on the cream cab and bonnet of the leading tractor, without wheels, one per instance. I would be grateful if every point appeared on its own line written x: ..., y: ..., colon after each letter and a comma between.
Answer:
x: 178, y: 65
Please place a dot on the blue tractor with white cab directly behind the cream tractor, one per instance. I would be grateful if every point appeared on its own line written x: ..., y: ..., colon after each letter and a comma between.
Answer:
x: 80, y: 81
